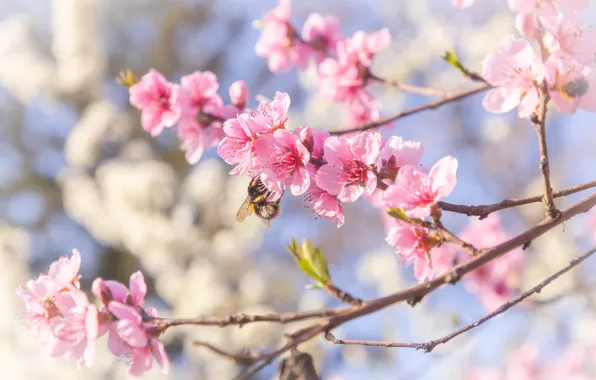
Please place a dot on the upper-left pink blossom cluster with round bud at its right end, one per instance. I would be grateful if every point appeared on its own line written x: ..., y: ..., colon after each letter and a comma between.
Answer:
x: 193, y: 106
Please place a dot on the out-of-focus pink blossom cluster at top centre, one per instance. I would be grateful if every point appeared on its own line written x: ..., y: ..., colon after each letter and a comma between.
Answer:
x: 343, y: 64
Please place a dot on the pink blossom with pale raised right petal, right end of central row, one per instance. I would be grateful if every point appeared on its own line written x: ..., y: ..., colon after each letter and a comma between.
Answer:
x: 416, y: 192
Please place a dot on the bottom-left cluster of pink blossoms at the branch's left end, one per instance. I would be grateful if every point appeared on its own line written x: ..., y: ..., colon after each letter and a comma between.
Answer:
x: 67, y: 325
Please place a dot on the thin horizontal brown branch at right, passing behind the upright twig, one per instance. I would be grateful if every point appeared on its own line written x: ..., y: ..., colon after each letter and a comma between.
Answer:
x: 484, y: 210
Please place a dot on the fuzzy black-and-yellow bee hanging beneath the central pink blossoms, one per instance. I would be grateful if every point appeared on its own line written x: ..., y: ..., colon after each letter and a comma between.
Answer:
x: 256, y: 202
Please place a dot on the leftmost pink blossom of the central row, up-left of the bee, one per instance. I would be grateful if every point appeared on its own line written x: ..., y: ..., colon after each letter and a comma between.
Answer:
x: 239, y: 144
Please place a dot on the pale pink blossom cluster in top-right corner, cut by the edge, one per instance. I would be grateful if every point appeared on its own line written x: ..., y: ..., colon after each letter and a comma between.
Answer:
x: 564, y: 69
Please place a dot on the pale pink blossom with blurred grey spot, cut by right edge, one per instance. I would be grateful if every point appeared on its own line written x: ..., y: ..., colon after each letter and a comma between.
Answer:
x: 572, y: 85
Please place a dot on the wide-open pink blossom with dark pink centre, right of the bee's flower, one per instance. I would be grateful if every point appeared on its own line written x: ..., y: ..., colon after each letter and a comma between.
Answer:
x: 349, y: 171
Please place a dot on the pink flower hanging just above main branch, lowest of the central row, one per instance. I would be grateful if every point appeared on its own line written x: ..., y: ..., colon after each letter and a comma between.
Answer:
x: 414, y: 244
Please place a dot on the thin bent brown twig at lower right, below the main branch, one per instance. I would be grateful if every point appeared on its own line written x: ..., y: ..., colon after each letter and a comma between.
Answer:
x: 431, y: 345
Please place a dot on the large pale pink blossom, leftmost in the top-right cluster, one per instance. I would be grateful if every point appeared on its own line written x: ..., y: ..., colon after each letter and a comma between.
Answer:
x: 517, y: 73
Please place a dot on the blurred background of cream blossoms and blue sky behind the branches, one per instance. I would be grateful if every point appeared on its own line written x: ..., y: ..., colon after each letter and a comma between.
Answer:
x: 77, y: 171
